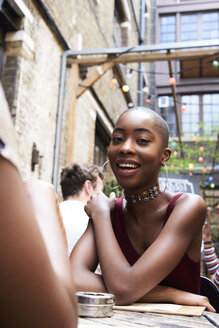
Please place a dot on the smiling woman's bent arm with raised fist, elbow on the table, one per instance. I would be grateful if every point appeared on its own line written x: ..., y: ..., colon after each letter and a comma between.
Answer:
x: 132, y: 283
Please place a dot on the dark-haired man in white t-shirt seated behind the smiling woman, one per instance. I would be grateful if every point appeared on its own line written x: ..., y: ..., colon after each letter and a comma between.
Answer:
x: 78, y: 183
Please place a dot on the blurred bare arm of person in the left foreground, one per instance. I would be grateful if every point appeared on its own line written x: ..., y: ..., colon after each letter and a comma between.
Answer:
x: 37, y: 288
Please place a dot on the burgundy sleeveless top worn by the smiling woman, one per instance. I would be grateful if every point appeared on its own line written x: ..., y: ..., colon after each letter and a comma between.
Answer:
x: 185, y: 276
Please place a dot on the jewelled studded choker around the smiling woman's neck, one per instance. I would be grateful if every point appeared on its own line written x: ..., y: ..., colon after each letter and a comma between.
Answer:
x: 144, y: 196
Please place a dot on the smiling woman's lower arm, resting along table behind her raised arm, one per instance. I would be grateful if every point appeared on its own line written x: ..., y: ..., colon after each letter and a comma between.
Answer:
x: 84, y: 261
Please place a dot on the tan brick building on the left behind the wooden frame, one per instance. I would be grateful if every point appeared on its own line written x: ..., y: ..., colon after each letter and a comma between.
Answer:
x: 55, y: 127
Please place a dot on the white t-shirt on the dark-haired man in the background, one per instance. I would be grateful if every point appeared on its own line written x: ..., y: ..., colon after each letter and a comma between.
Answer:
x: 75, y: 221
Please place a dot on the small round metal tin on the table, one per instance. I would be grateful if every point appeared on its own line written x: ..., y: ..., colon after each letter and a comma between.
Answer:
x: 97, y: 305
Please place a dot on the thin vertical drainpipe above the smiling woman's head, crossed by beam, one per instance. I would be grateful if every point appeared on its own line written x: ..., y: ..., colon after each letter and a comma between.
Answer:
x: 141, y: 42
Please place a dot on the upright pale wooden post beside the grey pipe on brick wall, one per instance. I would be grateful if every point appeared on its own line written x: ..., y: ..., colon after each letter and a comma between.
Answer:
x: 71, y: 122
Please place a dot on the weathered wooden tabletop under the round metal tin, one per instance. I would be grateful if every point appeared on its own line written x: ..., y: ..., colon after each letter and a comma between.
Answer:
x: 122, y: 319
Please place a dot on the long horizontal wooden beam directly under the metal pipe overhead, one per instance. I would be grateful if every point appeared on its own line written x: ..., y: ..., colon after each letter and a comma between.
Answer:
x: 88, y: 60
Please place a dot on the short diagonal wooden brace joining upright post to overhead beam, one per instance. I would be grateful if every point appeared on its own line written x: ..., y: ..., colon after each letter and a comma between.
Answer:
x: 93, y: 77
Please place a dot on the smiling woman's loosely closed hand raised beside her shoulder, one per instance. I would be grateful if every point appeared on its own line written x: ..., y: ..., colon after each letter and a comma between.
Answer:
x: 99, y: 206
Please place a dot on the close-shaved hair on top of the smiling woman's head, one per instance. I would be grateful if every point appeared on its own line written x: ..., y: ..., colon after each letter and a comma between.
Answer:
x: 159, y: 123
